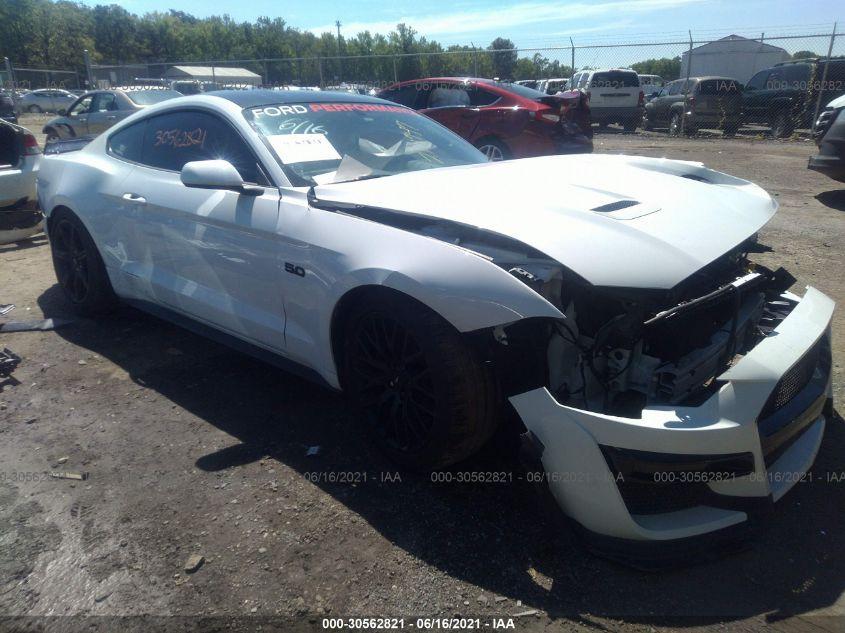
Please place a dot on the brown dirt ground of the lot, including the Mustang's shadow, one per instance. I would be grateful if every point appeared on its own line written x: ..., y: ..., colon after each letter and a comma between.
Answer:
x: 194, y: 449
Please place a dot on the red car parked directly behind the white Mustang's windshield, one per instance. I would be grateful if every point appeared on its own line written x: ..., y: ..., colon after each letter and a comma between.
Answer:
x: 503, y: 120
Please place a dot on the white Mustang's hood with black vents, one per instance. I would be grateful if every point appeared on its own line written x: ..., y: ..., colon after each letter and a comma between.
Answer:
x: 623, y: 221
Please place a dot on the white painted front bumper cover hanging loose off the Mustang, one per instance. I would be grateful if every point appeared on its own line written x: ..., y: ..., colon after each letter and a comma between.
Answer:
x: 581, y: 481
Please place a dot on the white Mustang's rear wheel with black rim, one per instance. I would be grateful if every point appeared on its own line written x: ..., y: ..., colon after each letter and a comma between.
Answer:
x: 78, y: 265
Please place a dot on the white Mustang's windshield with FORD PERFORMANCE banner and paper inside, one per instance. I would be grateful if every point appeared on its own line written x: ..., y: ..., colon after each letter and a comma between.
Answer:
x: 322, y: 143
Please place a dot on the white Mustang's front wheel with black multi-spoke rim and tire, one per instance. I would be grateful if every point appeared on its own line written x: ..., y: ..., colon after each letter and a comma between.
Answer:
x: 425, y: 397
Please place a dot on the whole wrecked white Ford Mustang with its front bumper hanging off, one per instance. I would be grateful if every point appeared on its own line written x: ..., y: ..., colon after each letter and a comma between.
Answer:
x: 670, y: 388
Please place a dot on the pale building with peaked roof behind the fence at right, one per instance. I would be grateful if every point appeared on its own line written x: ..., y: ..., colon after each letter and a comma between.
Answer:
x: 732, y: 56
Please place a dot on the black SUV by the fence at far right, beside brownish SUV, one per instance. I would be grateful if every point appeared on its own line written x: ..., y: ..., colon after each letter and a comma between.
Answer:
x: 784, y: 96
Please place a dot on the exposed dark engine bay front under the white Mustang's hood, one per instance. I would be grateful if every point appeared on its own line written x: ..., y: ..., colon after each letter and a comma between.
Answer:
x: 620, y: 350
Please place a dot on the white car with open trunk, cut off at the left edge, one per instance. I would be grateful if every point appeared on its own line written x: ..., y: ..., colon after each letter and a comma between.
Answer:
x: 20, y: 157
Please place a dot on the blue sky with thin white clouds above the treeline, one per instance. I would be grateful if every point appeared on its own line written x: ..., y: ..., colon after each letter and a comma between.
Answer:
x: 529, y: 22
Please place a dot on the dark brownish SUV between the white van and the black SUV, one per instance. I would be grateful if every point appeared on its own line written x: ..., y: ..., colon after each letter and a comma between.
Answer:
x: 711, y: 102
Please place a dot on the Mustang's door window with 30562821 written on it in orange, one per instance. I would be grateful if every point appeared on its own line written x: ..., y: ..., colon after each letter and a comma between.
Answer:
x: 176, y: 138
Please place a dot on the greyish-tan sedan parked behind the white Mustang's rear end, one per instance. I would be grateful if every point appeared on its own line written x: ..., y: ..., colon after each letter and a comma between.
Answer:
x: 97, y: 111
